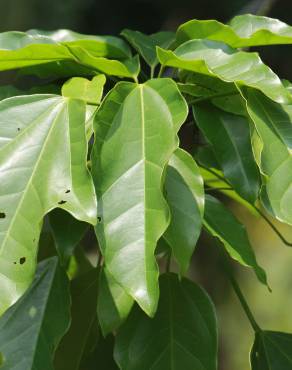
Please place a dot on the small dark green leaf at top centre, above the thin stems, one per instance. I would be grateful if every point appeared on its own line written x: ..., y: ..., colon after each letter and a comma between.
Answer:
x: 145, y: 45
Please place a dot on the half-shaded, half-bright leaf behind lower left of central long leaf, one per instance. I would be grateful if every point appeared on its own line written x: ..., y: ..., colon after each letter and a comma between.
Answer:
x: 114, y: 304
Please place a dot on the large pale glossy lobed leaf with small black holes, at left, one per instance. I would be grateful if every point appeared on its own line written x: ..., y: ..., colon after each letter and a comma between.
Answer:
x: 43, y: 152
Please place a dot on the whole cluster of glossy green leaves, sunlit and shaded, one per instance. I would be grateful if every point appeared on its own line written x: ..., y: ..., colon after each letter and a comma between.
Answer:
x: 96, y: 149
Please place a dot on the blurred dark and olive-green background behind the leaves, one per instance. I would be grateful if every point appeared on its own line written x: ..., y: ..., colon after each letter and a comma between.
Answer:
x: 272, y: 310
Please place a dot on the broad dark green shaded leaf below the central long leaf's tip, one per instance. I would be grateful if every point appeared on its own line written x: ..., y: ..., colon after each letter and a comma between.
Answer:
x: 182, y: 335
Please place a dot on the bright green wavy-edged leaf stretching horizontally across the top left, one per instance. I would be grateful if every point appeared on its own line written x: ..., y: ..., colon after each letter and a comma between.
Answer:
x: 18, y: 50
